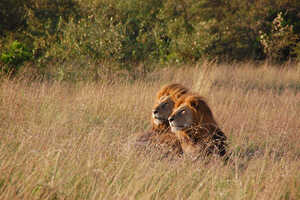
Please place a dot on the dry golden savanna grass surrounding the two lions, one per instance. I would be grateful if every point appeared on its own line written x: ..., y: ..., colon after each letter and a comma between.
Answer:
x: 74, y: 140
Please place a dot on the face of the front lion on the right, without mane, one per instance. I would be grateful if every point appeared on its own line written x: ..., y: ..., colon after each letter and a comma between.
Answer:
x: 181, y: 119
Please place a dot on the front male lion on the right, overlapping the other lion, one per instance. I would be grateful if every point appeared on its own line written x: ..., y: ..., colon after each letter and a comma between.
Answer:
x: 193, y: 123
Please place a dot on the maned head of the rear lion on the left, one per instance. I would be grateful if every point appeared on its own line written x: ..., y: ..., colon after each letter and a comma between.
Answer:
x: 165, y: 102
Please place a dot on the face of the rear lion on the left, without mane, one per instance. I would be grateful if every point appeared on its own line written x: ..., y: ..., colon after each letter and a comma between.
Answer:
x: 162, y: 110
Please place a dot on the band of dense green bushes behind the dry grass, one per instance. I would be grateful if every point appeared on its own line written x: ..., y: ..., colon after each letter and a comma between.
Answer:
x: 63, y: 38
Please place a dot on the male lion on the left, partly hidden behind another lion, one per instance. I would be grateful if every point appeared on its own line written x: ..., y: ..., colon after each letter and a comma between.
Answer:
x: 160, y: 134
